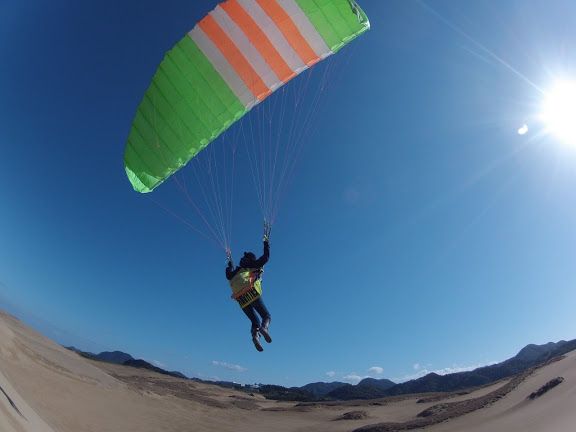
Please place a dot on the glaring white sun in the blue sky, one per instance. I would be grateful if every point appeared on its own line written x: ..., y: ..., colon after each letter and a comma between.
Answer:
x: 559, y: 111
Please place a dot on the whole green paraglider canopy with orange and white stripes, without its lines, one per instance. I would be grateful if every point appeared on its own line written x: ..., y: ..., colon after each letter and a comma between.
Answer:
x: 233, y: 59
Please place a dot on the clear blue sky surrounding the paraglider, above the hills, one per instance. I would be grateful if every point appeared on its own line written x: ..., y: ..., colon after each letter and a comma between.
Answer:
x: 425, y: 233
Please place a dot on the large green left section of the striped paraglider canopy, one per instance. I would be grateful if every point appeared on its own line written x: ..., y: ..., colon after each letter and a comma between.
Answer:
x: 187, y: 106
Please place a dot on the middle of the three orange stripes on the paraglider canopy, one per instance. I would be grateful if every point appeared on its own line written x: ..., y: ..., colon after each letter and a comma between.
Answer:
x: 259, y: 39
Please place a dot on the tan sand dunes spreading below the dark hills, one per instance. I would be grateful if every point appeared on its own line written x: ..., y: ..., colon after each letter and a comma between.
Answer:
x: 44, y: 387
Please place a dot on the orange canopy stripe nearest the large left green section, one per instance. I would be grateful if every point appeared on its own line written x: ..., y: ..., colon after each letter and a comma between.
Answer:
x: 235, y: 57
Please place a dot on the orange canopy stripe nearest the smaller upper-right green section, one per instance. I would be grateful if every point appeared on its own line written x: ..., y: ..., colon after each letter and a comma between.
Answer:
x: 290, y: 31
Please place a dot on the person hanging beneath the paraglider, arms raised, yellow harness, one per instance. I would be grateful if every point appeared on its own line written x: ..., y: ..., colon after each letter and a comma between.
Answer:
x: 246, y: 283
